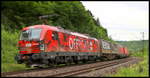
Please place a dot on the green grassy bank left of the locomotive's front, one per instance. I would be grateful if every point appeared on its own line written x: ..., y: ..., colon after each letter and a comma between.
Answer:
x: 9, y: 50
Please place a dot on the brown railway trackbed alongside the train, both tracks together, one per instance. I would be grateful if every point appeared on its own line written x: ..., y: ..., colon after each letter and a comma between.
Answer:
x: 69, y: 70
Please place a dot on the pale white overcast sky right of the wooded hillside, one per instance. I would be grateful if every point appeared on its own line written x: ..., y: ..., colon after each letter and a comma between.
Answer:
x: 124, y: 20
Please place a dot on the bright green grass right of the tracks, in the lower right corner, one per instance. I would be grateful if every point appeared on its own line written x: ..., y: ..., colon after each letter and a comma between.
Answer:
x: 136, y: 70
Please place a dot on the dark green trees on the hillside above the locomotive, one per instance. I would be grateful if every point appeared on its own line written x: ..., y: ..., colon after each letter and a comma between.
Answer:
x: 68, y: 14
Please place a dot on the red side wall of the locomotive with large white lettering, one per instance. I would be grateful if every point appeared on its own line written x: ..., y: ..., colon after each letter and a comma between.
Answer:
x: 64, y: 42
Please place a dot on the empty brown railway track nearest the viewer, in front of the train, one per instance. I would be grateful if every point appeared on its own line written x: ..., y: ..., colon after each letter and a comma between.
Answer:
x: 93, y: 68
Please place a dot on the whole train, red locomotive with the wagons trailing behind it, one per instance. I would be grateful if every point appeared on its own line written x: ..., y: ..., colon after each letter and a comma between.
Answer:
x: 48, y: 45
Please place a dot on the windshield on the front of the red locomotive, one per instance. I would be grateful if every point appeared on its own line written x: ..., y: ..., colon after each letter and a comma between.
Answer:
x: 31, y: 34
